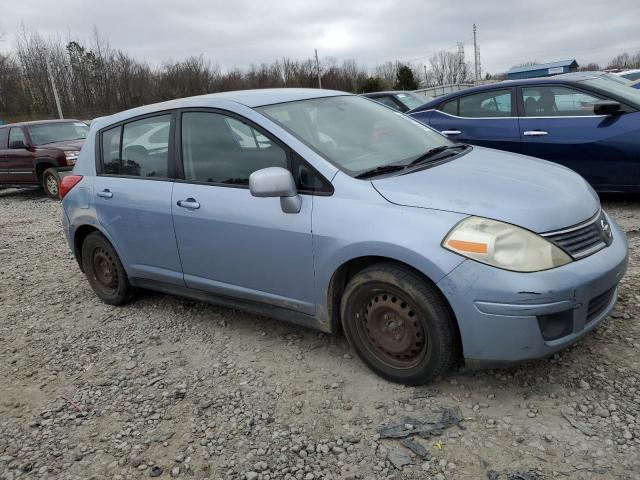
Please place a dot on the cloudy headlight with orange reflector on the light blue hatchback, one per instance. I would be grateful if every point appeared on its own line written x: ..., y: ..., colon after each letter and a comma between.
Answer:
x: 503, y: 245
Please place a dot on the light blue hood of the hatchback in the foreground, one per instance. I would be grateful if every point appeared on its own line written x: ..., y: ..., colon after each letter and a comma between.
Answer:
x: 535, y: 194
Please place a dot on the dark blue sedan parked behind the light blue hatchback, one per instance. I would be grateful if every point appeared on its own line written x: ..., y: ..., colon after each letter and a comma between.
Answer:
x: 585, y: 121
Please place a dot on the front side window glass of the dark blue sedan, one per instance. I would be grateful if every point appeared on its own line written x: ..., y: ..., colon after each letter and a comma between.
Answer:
x: 556, y: 101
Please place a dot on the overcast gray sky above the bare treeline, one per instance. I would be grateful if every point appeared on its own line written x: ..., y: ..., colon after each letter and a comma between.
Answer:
x: 241, y: 32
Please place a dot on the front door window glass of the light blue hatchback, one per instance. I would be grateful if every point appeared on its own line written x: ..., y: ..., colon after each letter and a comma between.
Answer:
x: 220, y: 149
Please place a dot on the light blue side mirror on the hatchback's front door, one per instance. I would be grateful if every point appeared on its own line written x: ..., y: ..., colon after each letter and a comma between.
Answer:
x: 276, y: 182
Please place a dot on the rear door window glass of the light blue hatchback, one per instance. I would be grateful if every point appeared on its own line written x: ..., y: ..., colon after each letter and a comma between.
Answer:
x: 139, y: 148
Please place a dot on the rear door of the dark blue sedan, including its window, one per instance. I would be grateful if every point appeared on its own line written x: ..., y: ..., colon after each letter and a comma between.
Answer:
x: 486, y: 118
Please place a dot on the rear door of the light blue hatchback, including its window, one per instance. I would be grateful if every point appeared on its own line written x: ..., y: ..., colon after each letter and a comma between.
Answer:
x: 132, y: 197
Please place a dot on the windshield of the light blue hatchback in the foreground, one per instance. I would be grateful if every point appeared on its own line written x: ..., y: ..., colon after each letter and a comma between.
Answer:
x: 355, y: 134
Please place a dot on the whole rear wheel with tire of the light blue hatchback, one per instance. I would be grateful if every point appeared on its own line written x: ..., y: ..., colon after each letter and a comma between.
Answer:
x: 104, y: 270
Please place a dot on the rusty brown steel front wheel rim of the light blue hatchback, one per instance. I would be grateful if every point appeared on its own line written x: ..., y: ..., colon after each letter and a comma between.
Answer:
x: 392, y: 331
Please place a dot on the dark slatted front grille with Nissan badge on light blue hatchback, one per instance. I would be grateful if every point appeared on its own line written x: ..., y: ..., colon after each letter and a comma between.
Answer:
x: 584, y: 239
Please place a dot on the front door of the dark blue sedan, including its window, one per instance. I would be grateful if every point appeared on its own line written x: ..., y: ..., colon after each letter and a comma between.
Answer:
x: 557, y: 123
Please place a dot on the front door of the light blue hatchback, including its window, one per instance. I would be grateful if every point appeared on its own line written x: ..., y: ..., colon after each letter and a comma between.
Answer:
x: 231, y: 243
